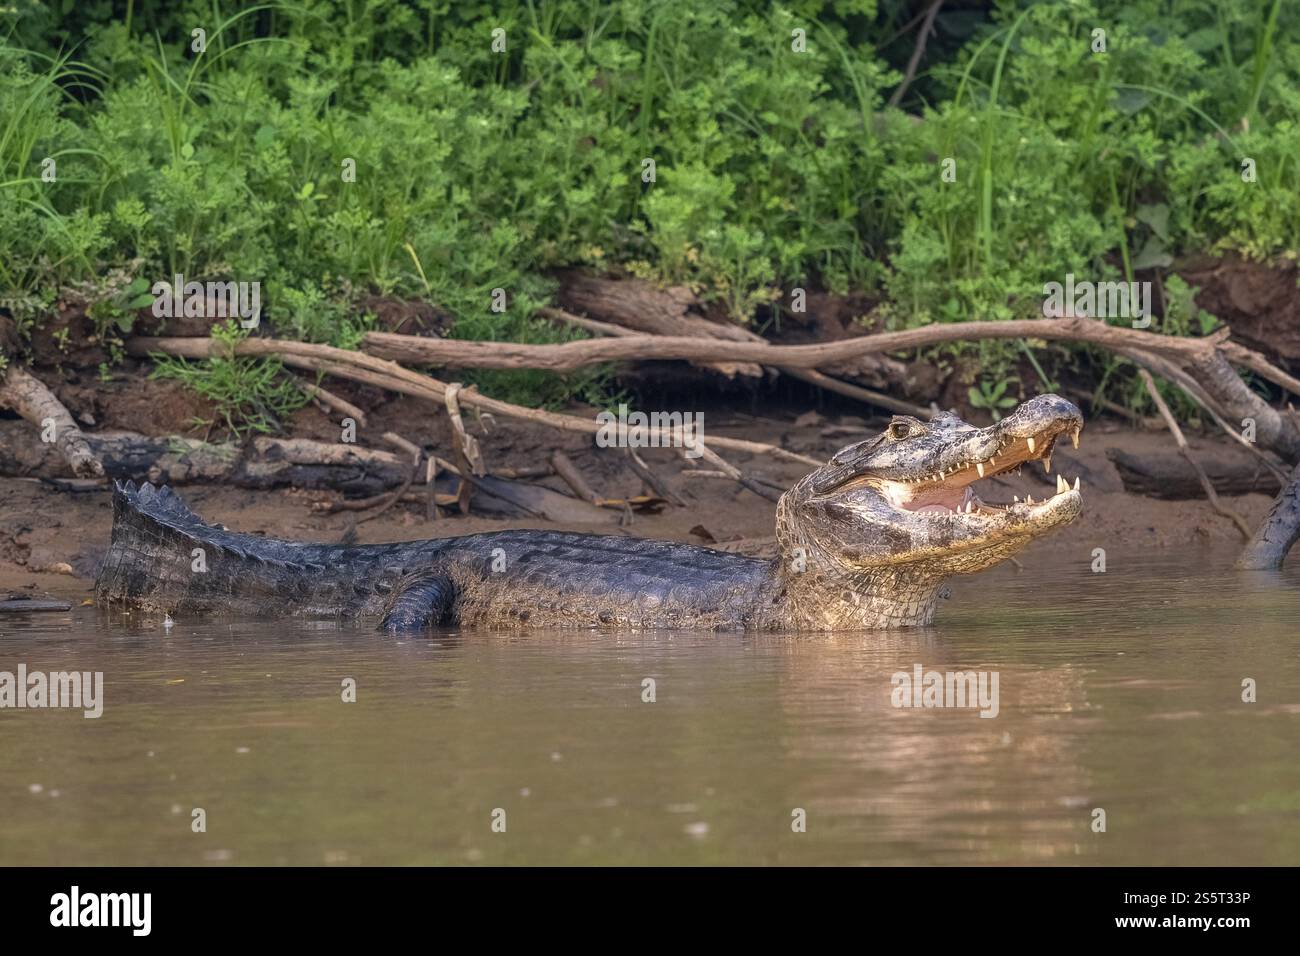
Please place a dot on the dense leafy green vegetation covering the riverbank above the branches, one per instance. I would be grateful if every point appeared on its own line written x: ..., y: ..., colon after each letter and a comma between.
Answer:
x: 479, y: 171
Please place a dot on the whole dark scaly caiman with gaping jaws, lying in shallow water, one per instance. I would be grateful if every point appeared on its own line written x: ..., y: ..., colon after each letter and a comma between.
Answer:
x: 866, y: 542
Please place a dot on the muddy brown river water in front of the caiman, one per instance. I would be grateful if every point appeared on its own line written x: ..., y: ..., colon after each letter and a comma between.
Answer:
x: 1119, y: 691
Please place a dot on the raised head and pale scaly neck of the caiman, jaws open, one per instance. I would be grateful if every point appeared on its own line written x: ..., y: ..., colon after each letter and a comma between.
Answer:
x: 869, y: 538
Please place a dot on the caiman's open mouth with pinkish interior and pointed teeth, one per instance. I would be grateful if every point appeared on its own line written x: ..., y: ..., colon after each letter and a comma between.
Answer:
x: 952, y: 491
